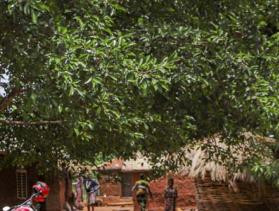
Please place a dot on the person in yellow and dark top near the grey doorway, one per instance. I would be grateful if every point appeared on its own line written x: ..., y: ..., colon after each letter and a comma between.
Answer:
x: 142, y: 190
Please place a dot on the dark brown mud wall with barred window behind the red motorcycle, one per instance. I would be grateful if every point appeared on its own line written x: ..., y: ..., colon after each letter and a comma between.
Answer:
x: 16, y: 186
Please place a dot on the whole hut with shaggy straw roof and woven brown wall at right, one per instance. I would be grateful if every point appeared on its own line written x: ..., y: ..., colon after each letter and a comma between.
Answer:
x: 221, y: 186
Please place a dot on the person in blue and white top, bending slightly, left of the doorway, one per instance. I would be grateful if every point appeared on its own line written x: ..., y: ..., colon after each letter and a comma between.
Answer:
x: 91, y: 187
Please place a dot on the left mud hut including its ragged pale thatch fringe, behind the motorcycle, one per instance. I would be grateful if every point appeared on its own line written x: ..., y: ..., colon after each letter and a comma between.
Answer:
x: 16, y: 183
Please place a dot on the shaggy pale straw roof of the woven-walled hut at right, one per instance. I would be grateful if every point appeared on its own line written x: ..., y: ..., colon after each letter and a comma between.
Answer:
x: 203, y: 163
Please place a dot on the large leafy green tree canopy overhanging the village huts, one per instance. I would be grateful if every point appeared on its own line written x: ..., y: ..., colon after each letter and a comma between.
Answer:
x: 89, y: 78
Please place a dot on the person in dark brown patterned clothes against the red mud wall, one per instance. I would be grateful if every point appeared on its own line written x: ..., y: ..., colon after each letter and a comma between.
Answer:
x: 170, y: 195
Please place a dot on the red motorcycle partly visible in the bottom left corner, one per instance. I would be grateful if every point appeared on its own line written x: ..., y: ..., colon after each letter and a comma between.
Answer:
x: 40, y: 194
